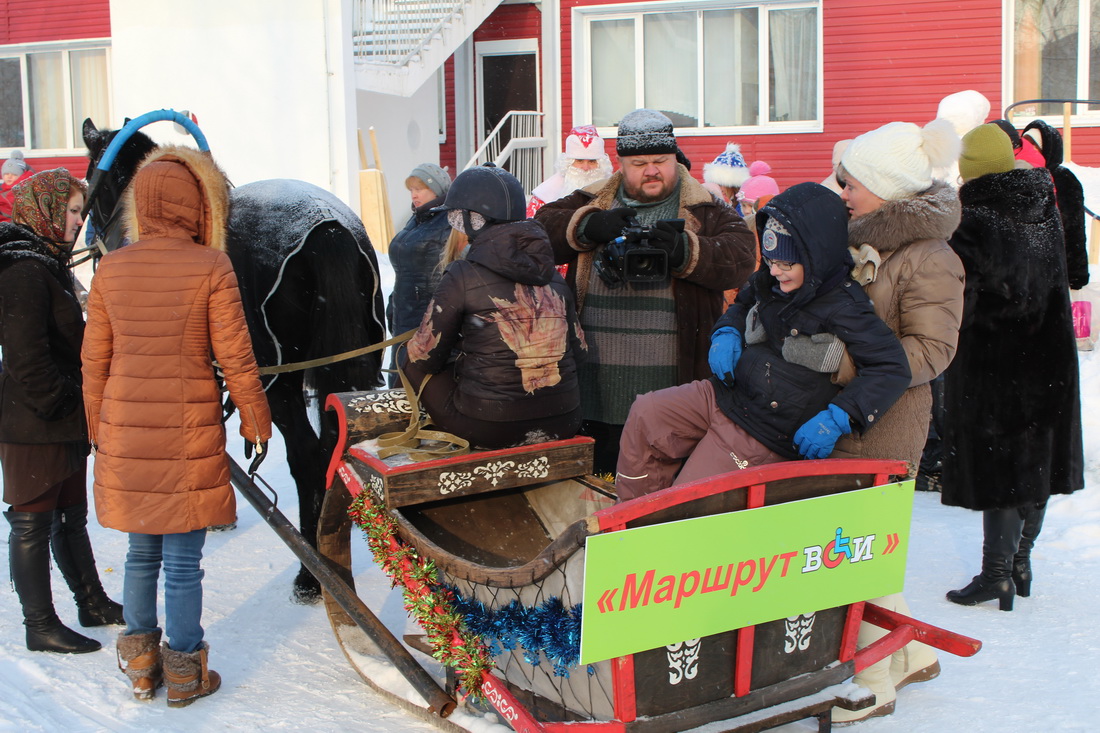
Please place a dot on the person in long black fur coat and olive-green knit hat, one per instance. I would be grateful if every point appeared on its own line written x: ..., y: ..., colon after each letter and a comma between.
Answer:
x: 1013, y: 395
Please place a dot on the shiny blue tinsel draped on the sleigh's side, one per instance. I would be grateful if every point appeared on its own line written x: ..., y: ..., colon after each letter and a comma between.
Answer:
x: 548, y: 629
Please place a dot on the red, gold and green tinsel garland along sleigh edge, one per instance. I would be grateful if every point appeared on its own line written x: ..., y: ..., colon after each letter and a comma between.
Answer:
x: 431, y: 605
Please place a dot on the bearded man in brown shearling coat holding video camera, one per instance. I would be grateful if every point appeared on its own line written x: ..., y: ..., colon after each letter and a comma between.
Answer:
x: 645, y: 336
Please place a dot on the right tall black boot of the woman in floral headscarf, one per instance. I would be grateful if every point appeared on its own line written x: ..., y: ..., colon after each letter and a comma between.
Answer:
x: 73, y: 553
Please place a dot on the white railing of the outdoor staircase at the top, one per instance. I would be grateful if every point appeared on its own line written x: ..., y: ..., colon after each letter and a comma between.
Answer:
x: 393, y: 32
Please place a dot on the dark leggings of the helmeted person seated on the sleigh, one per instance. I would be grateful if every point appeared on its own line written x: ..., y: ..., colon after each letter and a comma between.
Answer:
x: 438, y: 401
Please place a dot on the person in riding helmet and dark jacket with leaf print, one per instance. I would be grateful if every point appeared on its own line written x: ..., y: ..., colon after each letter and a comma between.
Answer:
x: 501, y: 335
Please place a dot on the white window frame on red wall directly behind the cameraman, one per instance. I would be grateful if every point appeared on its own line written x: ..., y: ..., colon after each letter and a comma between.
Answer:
x: 582, y: 17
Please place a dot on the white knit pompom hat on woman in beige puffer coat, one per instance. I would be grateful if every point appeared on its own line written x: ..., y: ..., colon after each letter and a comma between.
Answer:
x: 897, y: 160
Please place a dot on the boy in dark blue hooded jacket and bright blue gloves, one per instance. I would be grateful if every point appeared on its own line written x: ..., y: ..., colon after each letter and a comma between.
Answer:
x: 774, y: 353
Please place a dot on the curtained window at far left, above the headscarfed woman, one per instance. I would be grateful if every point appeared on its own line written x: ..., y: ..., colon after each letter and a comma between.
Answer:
x: 47, y: 91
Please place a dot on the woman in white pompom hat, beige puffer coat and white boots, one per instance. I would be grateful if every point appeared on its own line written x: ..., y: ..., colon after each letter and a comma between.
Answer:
x: 901, y: 220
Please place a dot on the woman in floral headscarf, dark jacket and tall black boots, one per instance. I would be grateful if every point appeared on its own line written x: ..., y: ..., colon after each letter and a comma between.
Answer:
x: 43, y: 441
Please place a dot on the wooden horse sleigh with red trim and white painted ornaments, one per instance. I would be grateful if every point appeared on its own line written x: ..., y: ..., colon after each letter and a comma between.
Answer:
x: 504, y: 531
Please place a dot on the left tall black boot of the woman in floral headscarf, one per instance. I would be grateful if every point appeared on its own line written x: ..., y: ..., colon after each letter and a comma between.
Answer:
x: 29, y: 554
